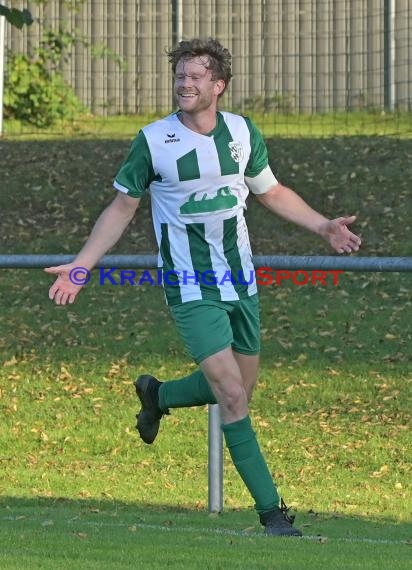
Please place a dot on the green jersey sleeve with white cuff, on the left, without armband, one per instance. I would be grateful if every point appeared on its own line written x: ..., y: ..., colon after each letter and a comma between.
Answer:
x: 136, y: 173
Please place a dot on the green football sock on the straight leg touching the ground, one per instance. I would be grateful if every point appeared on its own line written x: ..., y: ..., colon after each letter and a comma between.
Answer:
x: 250, y: 464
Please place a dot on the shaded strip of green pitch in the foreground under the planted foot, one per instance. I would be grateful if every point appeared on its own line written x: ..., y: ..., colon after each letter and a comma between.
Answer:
x: 89, y: 535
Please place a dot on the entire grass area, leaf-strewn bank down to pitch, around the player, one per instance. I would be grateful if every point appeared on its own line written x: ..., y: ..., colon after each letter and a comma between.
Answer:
x: 332, y: 407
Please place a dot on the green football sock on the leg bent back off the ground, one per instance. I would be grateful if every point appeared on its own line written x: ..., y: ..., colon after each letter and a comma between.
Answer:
x: 193, y: 390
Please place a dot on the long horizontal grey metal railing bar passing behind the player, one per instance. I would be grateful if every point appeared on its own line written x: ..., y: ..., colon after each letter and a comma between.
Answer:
x: 291, y: 262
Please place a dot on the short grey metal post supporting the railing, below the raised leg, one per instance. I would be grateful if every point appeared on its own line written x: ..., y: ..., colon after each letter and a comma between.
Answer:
x: 215, y: 460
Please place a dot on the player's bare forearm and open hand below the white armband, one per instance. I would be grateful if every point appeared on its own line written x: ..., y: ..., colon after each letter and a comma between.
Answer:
x: 284, y: 202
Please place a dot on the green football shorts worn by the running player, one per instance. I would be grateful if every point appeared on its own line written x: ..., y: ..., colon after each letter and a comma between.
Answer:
x: 208, y: 326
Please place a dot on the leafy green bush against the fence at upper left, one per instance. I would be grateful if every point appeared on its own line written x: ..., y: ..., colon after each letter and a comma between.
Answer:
x: 35, y: 90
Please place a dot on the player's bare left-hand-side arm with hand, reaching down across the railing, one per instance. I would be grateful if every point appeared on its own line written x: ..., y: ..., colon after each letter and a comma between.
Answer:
x: 105, y: 234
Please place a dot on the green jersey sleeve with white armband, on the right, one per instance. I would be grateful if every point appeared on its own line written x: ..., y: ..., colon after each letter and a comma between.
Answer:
x: 258, y: 174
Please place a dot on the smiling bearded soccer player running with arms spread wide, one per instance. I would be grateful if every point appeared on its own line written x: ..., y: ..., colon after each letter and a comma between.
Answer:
x: 200, y: 165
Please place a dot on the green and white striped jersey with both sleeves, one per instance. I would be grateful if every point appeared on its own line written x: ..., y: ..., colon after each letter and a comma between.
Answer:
x: 198, y: 186
